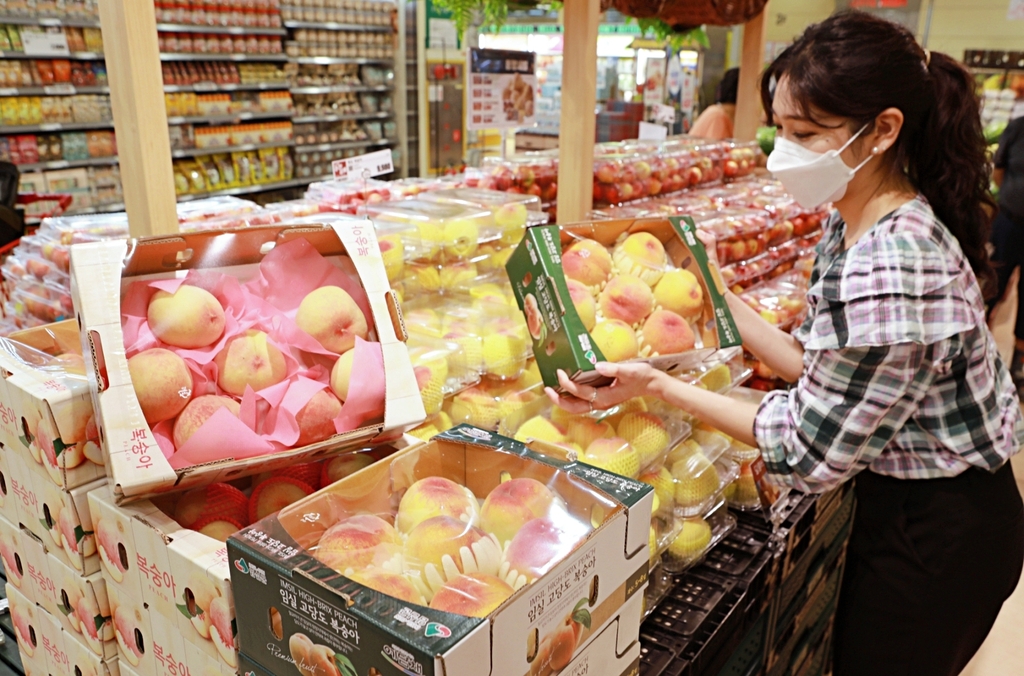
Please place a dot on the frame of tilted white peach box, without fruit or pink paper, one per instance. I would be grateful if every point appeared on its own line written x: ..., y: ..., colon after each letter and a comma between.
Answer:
x: 101, y: 272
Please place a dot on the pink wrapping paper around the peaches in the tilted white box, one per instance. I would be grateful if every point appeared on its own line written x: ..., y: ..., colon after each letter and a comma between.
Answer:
x: 267, y: 422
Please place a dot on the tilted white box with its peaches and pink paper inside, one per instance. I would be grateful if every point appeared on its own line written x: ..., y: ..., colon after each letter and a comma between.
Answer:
x: 205, y: 350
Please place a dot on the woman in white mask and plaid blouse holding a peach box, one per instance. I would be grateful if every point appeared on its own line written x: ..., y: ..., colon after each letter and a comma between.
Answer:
x: 898, y: 377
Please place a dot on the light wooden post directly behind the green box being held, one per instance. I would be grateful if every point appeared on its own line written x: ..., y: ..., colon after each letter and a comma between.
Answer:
x: 576, y: 135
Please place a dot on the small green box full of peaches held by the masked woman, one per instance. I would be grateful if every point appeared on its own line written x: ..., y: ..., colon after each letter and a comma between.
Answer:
x: 618, y: 291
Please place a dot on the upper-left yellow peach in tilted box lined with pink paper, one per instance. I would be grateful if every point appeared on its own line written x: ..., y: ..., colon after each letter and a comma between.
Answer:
x: 189, y: 318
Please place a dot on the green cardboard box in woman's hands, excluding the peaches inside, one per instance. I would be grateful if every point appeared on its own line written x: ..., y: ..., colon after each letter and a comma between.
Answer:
x: 562, y: 342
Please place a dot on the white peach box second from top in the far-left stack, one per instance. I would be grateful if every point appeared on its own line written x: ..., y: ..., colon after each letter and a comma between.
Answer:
x: 61, y: 519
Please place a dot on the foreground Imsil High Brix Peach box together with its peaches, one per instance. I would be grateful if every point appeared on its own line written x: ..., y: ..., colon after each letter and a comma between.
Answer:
x: 449, y: 566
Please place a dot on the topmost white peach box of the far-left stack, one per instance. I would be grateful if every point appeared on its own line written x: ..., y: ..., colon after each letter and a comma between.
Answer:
x: 52, y: 407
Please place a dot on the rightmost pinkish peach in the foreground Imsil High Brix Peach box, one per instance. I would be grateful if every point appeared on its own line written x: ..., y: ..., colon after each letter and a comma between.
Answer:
x: 540, y: 546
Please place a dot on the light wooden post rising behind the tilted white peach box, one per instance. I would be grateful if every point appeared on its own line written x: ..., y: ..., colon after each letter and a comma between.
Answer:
x: 140, y: 116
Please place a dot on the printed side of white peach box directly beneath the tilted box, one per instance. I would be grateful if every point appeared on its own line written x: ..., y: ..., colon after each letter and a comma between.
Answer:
x: 178, y: 574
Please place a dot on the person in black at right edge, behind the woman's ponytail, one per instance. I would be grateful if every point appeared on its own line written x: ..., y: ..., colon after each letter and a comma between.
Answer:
x: 1008, y: 233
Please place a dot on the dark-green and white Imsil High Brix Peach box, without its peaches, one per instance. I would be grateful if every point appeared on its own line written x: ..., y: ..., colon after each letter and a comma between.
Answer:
x: 281, y: 590
